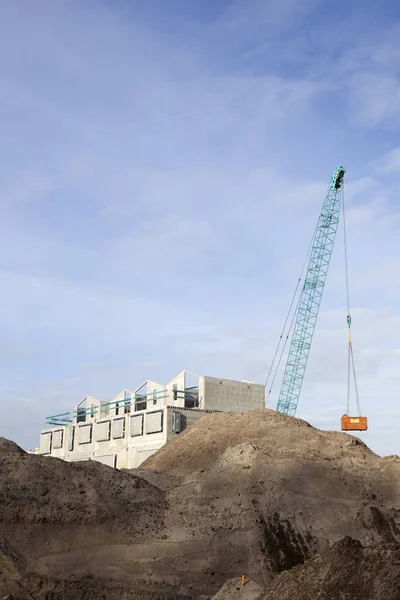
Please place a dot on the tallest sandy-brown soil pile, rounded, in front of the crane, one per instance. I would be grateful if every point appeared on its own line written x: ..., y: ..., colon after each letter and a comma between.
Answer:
x: 279, y: 488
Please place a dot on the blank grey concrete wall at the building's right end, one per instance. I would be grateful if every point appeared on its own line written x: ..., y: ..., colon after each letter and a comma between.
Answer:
x: 233, y: 396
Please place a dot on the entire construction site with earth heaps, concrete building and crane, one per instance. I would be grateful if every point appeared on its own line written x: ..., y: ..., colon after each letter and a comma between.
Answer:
x: 195, y: 489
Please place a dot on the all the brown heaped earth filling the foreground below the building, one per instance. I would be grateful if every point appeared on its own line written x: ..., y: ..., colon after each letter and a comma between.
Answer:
x: 259, y: 494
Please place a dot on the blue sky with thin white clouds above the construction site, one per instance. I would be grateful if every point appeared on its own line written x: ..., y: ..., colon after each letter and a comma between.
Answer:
x: 162, y: 169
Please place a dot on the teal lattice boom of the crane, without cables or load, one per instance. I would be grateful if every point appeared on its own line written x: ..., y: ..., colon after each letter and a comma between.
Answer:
x: 310, y: 298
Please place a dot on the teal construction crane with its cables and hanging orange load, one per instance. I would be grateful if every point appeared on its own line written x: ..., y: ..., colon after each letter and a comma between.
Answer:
x: 306, y: 313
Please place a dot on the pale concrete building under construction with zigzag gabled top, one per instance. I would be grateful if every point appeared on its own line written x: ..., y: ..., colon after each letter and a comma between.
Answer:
x: 124, y: 432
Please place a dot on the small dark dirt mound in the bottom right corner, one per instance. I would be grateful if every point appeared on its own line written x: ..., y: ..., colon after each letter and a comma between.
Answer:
x: 347, y: 570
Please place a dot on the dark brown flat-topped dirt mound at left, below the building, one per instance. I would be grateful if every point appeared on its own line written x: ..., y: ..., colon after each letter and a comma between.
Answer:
x: 37, y: 489
